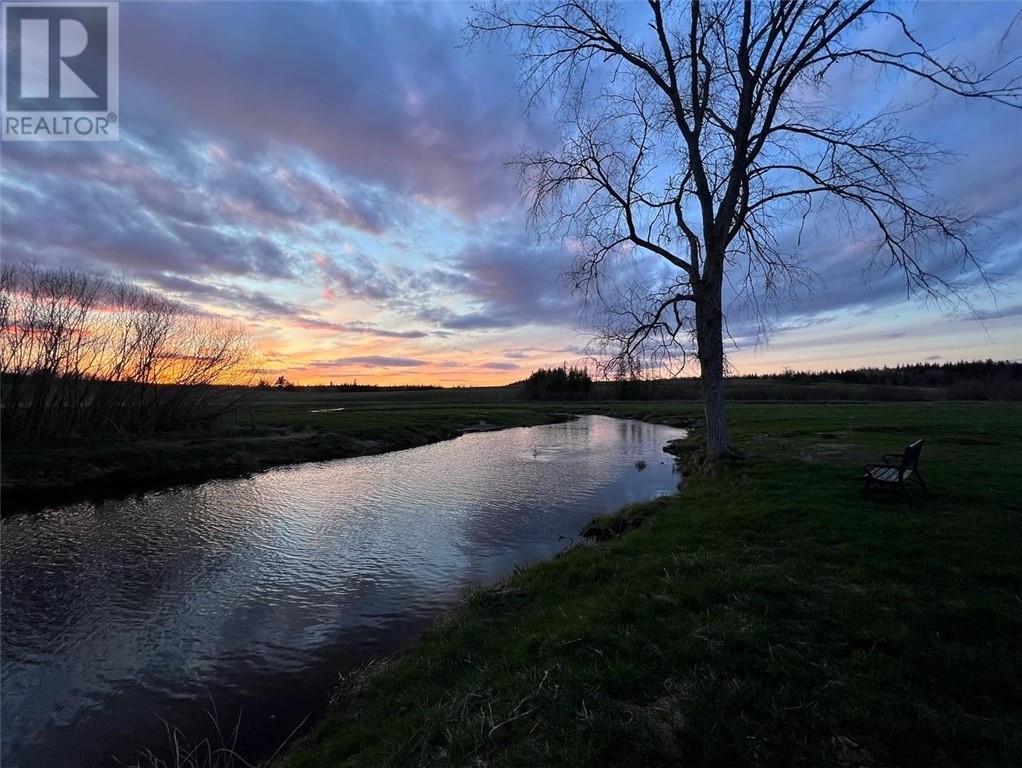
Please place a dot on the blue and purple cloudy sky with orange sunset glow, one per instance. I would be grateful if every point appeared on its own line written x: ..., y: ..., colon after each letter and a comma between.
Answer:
x: 336, y: 176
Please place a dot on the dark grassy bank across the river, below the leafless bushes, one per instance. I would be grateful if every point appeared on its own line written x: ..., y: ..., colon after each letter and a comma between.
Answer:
x: 271, y: 430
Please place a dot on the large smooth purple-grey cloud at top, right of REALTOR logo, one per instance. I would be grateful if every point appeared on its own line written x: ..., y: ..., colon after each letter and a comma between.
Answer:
x: 380, y: 94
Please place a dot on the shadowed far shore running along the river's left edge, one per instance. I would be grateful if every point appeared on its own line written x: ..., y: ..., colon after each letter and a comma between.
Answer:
x: 37, y: 477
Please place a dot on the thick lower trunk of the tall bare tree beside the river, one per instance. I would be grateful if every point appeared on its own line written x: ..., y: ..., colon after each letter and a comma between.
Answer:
x: 710, y: 338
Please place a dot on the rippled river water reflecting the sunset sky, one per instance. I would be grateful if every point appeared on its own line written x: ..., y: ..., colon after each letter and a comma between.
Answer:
x: 258, y: 592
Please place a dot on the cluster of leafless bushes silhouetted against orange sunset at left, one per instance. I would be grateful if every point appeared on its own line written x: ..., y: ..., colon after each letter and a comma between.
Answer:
x: 81, y: 353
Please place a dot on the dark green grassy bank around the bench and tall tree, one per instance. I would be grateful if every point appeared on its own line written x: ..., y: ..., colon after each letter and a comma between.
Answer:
x: 767, y: 616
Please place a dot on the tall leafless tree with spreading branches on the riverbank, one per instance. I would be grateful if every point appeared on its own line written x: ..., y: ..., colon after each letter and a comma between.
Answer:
x: 690, y: 133
